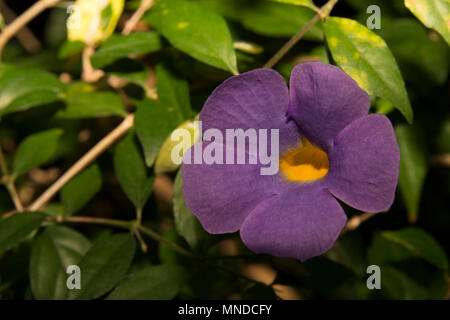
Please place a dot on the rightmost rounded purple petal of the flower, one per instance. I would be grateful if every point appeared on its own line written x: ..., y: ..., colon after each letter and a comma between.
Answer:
x: 364, y: 164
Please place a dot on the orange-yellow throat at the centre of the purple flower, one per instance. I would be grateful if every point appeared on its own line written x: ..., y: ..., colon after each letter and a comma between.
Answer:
x: 306, y: 163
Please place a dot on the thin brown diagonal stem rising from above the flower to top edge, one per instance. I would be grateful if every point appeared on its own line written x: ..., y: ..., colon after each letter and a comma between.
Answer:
x: 322, y: 14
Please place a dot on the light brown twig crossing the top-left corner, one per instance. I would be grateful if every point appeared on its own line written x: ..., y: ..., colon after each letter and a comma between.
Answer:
x: 12, y: 29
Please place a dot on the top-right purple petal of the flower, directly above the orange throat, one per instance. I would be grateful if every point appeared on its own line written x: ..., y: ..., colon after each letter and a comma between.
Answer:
x: 323, y: 100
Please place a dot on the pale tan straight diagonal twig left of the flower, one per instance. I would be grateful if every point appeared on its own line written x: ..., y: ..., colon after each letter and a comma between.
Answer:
x: 82, y: 163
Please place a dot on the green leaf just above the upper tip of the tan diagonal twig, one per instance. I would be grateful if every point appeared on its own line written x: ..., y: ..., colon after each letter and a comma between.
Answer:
x: 83, y: 102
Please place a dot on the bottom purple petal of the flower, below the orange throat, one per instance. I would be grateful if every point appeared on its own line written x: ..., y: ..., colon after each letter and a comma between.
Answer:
x: 300, y: 223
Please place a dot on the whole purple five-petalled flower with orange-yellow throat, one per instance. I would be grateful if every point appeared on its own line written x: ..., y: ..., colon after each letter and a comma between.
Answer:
x: 330, y: 148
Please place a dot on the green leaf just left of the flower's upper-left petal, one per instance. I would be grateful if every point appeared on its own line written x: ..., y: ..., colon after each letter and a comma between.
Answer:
x: 173, y: 92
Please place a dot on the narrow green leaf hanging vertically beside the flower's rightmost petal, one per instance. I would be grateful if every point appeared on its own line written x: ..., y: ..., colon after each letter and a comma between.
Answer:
x: 413, y: 166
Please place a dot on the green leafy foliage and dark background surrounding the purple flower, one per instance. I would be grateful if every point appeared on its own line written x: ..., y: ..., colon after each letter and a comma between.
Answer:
x: 179, y: 52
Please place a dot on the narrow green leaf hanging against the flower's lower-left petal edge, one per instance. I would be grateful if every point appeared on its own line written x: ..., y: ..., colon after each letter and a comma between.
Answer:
x: 186, y: 224
